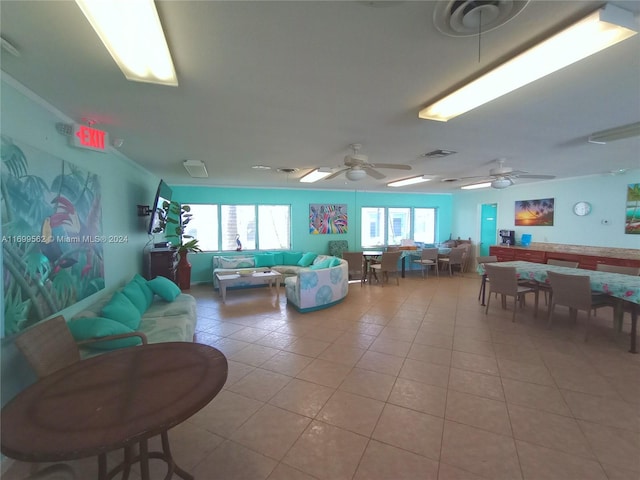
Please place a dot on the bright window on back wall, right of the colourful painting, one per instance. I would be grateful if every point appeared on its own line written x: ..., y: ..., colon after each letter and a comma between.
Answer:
x: 418, y: 224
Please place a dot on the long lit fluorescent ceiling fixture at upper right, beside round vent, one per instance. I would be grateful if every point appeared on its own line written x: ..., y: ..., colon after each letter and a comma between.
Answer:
x: 597, y: 31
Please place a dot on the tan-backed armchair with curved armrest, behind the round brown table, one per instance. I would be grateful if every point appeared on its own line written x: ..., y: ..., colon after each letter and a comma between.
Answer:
x: 49, y: 346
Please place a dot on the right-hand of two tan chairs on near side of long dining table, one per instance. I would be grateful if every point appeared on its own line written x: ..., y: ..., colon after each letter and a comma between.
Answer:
x: 574, y: 292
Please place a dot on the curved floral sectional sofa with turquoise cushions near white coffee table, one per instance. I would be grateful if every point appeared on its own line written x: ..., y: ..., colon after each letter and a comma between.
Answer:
x: 308, y: 288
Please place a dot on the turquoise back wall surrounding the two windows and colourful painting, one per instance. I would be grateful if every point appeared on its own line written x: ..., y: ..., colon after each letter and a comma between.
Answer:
x: 301, y: 239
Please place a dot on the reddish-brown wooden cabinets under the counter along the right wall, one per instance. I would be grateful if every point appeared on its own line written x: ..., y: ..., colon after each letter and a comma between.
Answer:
x: 541, y: 255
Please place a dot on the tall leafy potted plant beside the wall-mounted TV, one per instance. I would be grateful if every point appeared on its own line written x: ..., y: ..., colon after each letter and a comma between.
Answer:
x: 179, y: 216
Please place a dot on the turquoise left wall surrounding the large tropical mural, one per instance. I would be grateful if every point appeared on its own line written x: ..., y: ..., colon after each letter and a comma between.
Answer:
x: 25, y: 117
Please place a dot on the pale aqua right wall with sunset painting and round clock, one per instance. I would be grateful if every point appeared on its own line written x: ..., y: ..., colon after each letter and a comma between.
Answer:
x: 606, y: 193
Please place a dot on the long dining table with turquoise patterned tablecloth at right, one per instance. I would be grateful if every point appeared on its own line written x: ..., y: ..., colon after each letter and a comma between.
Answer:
x: 623, y: 287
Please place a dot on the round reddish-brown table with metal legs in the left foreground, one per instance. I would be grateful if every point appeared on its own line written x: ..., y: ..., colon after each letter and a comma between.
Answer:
x: 112, y: 401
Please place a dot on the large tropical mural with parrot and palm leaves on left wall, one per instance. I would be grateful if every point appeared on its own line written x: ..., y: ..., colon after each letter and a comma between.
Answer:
x: 51, y: 234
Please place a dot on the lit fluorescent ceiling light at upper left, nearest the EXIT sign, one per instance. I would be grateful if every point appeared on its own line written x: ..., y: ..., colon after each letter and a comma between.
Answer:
x: 131, y: 31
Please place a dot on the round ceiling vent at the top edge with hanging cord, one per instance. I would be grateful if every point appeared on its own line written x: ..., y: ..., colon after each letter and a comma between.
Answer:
x: 465, y: 18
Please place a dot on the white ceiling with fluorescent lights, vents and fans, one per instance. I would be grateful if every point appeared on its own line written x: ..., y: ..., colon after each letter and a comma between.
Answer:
x: 292, y: 84
